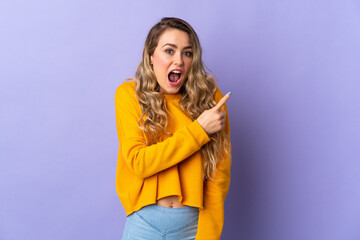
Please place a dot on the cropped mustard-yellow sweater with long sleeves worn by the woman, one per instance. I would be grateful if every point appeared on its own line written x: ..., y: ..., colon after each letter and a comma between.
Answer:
x: 172, y: 166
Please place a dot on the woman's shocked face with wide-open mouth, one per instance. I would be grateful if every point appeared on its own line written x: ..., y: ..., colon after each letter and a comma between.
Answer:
x: 171, y: 60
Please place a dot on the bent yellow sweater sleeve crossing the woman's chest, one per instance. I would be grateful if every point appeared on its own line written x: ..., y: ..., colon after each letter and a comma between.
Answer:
x: 143, y: 160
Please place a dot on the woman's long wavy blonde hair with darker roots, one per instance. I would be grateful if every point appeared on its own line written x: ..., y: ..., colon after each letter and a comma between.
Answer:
x: 197, y: 95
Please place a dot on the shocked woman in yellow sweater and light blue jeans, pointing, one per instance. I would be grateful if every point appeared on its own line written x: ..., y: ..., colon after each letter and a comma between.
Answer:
x: 174, y: 161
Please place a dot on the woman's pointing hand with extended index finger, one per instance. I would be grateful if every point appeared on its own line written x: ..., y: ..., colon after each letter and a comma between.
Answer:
x: 212, y: 120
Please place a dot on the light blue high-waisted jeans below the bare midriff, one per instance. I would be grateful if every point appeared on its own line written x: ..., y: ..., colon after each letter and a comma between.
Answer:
x: 154, y: 222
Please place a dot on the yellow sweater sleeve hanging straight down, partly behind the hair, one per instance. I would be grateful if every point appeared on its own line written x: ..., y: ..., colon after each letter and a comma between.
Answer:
x: 211, y: 217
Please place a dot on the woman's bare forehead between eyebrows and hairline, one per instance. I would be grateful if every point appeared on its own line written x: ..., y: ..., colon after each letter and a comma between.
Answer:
x: 174, y: 36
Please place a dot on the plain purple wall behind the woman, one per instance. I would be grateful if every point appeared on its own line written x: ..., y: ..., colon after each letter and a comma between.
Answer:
x: 293, y: 68
